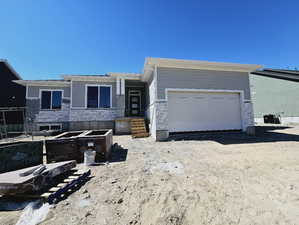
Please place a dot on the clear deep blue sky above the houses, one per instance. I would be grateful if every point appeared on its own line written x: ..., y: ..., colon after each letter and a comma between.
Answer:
x: 45, y: 38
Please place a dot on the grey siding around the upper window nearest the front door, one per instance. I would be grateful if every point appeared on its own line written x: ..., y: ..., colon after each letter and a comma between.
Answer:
x: 79, y: 95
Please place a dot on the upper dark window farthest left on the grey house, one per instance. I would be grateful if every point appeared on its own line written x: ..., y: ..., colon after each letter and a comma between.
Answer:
x: 51, y: 99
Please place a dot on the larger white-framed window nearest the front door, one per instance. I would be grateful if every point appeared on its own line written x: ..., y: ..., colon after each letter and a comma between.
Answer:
x: 99, y: 96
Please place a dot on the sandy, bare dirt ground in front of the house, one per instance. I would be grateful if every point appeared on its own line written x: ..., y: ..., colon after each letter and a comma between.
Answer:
x: 208, y: 179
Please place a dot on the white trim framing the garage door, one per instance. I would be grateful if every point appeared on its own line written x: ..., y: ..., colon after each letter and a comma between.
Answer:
x: 240, y: 92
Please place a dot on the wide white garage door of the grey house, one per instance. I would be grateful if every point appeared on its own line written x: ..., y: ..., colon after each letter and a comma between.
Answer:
x: 203, y: 111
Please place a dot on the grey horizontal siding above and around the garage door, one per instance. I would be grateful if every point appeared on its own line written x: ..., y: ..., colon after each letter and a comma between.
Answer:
x: 201, y: 79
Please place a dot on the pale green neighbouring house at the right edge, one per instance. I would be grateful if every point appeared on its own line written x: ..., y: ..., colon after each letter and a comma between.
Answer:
x: 276, y: 92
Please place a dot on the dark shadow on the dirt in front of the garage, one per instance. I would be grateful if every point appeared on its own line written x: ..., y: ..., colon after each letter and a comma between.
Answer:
x: 263, y: 134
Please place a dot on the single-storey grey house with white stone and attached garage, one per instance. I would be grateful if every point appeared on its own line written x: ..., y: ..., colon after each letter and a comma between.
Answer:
x: 174, y: 95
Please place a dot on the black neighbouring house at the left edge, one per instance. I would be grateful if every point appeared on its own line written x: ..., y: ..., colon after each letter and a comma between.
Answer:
x: 12, y: 94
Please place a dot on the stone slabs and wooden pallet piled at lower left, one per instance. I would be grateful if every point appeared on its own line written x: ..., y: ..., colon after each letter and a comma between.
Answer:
x: 50, y: 182
